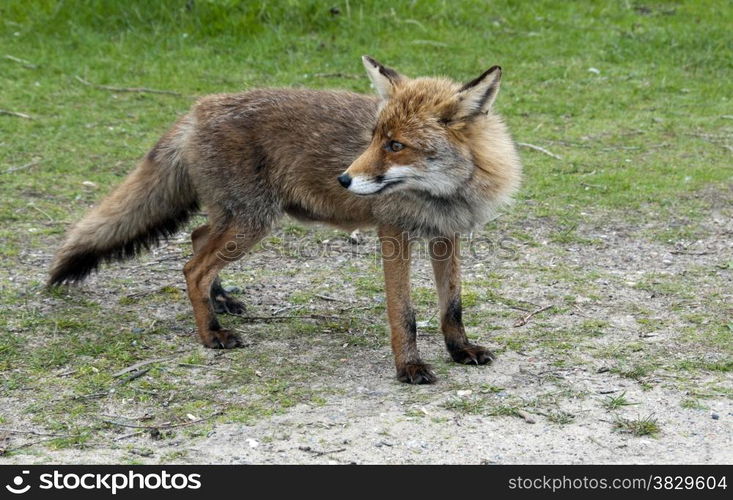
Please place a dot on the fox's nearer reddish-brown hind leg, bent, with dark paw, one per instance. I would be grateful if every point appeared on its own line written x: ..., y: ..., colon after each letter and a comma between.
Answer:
x: 220, y: 248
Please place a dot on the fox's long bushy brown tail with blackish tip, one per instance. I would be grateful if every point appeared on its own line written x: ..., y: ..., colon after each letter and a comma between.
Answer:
x: 150, y: 204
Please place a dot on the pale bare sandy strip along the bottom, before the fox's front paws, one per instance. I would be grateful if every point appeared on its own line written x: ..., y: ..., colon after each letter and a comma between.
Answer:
x: 369, y: 426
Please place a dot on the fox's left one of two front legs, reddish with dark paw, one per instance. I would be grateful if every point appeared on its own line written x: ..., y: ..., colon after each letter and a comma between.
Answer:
x: 396, y: 260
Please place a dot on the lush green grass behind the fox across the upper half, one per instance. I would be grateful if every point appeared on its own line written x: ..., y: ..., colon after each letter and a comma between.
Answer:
x: 664, y: 83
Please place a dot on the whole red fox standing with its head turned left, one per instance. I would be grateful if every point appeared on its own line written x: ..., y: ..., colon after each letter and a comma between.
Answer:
x: 425, y: 158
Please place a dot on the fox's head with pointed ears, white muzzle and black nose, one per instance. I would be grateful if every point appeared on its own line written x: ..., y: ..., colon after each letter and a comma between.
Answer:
x: 425, y: 134
